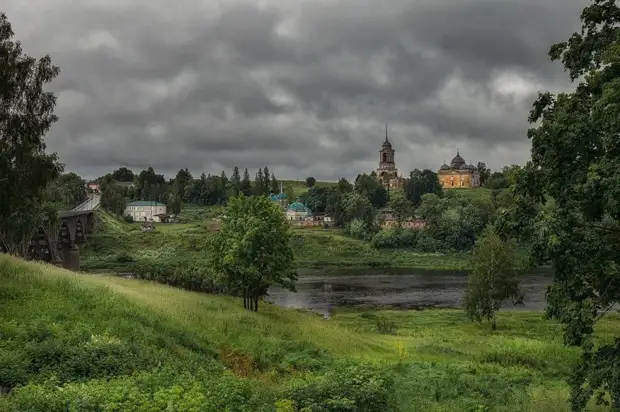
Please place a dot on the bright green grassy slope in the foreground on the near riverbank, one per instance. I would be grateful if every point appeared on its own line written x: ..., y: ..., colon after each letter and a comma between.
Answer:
x: 93, y: 343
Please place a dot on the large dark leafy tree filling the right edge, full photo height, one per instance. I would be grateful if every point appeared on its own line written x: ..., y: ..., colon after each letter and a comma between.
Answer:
x: 575, y: 161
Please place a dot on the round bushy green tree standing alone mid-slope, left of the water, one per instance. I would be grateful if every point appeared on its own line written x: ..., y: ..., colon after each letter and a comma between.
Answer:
x: 253, y: 250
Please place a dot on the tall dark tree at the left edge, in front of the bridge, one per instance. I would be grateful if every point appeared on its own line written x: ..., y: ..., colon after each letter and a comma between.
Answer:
x: 26, y: 114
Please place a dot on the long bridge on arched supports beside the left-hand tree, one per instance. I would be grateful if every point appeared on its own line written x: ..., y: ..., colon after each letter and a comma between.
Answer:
x: 60, y: 243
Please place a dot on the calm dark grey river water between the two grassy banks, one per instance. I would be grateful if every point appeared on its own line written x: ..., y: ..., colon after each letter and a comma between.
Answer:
x: 322, y: 291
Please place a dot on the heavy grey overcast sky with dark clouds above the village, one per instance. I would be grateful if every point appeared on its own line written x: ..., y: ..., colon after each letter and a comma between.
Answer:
x: 304, y: 87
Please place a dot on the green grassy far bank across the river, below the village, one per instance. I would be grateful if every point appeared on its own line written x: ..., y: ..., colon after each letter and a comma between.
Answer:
x: 118, y: 246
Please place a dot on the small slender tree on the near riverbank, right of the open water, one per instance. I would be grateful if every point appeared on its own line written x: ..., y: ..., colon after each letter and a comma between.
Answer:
x: 493, y: 278
